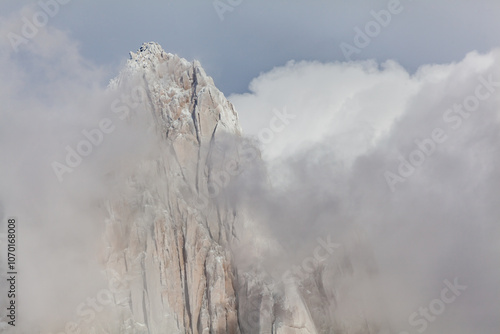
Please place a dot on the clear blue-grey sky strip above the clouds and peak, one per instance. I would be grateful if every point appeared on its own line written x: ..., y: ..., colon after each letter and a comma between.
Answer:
x: 258, y: 35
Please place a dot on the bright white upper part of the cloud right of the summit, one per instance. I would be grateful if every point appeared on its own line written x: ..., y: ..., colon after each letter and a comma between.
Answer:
x: 346, y: 101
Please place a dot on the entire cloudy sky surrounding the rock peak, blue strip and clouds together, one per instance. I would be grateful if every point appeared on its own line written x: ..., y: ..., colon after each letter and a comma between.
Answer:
x: 351, y: 149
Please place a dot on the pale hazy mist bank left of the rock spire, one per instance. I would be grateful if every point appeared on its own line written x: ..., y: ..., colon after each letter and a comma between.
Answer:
x: 53, y: 100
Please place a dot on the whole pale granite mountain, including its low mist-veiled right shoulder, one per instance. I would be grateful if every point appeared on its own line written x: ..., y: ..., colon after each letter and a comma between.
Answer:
x: 169, y: 242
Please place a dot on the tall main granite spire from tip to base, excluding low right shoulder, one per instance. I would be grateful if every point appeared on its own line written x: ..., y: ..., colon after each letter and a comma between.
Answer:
x: 168, y: 239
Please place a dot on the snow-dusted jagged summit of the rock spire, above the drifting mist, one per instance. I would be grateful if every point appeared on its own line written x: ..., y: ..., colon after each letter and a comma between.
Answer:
x: 182, y: 94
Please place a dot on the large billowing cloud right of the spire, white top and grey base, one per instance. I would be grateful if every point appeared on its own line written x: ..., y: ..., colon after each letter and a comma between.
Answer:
x: 410, y: 160
